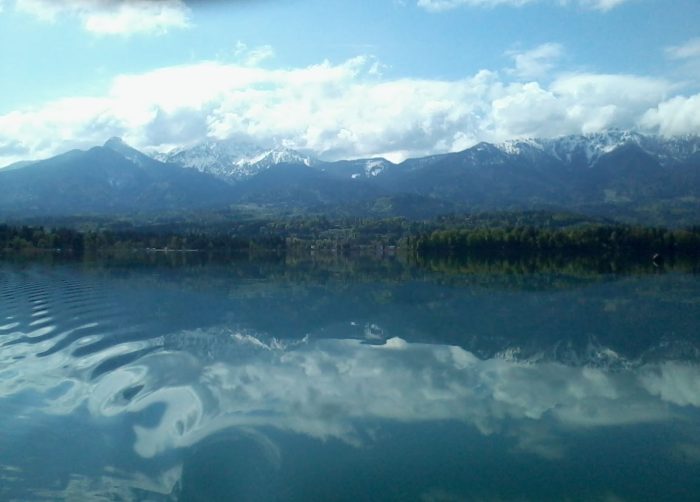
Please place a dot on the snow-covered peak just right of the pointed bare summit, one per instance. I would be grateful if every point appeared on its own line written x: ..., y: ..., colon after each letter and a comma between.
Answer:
x: 232, y: 160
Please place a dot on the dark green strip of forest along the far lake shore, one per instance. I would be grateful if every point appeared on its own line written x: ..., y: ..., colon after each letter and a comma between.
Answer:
x: 509, y: 235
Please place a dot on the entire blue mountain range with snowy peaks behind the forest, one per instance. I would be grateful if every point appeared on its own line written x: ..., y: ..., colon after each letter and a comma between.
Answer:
x: 620, y: 174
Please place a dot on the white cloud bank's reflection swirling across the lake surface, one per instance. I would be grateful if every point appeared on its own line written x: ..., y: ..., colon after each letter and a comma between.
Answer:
x: 330, y: 388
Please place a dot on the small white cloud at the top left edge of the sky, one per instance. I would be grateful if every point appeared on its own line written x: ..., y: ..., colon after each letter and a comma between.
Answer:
x: 113, y: 17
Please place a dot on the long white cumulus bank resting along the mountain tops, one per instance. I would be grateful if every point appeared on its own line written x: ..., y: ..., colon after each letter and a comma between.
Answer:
x: 342, y: 110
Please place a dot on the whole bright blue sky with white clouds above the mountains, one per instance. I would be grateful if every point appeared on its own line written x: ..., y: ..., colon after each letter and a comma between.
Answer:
x: 342, y: 79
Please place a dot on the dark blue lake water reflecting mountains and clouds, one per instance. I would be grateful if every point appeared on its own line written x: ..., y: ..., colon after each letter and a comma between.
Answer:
x: 349, y: 382
